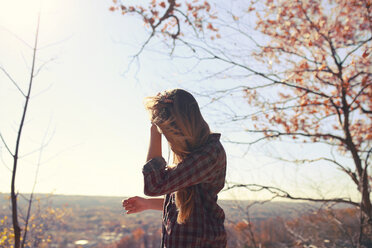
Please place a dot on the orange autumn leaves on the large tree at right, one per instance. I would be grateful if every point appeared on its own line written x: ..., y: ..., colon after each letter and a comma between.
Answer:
x: 322, y: 65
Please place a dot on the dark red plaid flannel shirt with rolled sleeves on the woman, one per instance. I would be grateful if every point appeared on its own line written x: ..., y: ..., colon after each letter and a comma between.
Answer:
x: 205, y: 170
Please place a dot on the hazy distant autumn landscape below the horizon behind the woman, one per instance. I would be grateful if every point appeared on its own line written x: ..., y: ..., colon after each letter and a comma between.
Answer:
x: 97, y: 221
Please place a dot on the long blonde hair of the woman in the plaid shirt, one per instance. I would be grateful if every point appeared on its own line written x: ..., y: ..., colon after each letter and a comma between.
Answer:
x: 177, y: 114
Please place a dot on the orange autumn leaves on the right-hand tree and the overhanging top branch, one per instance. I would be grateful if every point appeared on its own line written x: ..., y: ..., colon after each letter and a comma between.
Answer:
x: 317, y: 81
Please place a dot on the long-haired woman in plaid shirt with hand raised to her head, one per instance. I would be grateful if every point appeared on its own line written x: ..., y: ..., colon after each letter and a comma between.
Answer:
x: 191, y: 215
